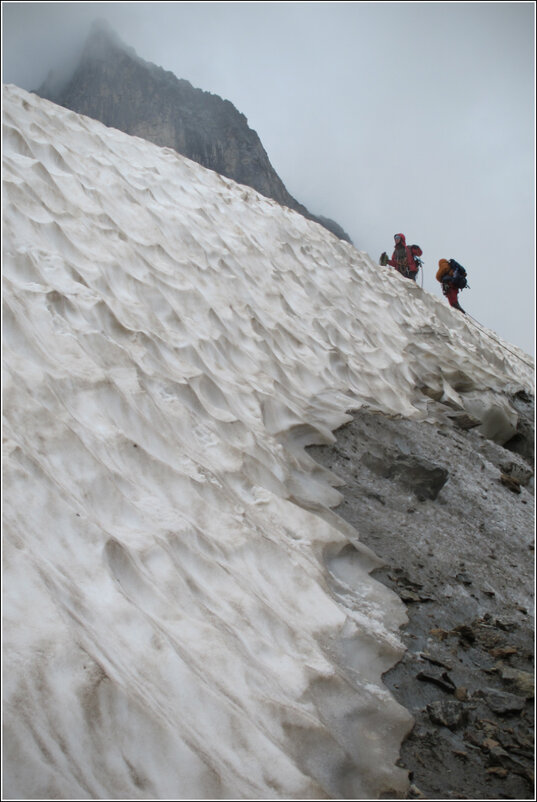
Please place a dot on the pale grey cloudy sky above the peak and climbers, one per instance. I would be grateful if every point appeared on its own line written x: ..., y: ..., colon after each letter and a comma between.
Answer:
x: 386, y: 117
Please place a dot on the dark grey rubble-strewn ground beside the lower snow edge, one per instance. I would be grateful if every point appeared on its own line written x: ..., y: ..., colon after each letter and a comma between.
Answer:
x: 458, y: 548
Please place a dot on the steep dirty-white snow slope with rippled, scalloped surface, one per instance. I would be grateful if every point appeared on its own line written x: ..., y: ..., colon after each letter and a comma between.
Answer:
x: 184, y: 615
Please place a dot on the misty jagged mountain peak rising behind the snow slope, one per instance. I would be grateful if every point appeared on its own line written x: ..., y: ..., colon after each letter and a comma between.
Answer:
x: 113, y: 85
